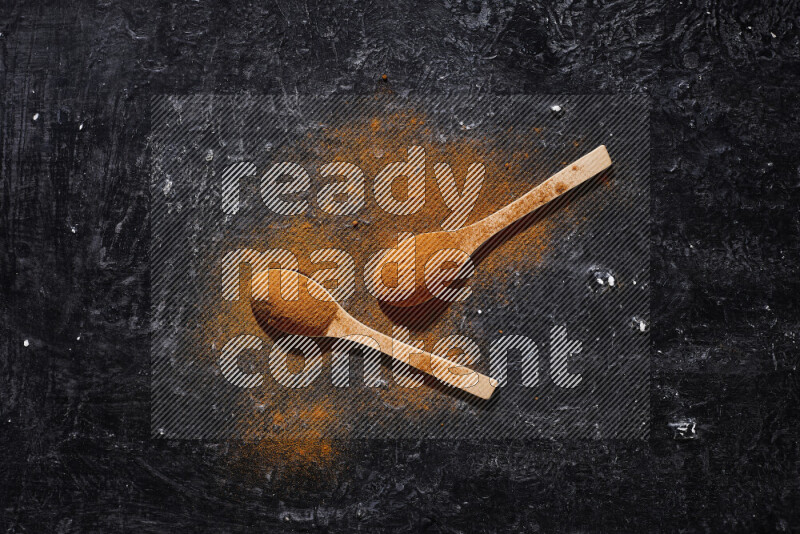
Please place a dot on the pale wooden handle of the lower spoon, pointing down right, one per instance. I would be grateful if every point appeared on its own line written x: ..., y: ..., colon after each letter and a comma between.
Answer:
x: 447, y: 371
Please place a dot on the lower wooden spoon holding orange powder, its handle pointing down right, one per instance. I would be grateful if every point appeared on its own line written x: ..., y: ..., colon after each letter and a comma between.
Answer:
x: 315, y: 314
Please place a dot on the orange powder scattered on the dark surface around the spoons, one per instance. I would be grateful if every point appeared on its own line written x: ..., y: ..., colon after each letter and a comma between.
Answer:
x: 371, y: 143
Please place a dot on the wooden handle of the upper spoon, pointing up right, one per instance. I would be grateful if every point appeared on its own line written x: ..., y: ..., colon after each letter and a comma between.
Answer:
x: 567, y: 178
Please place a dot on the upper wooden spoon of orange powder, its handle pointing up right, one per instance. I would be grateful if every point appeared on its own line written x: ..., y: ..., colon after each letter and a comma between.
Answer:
x: 470, y: 238
